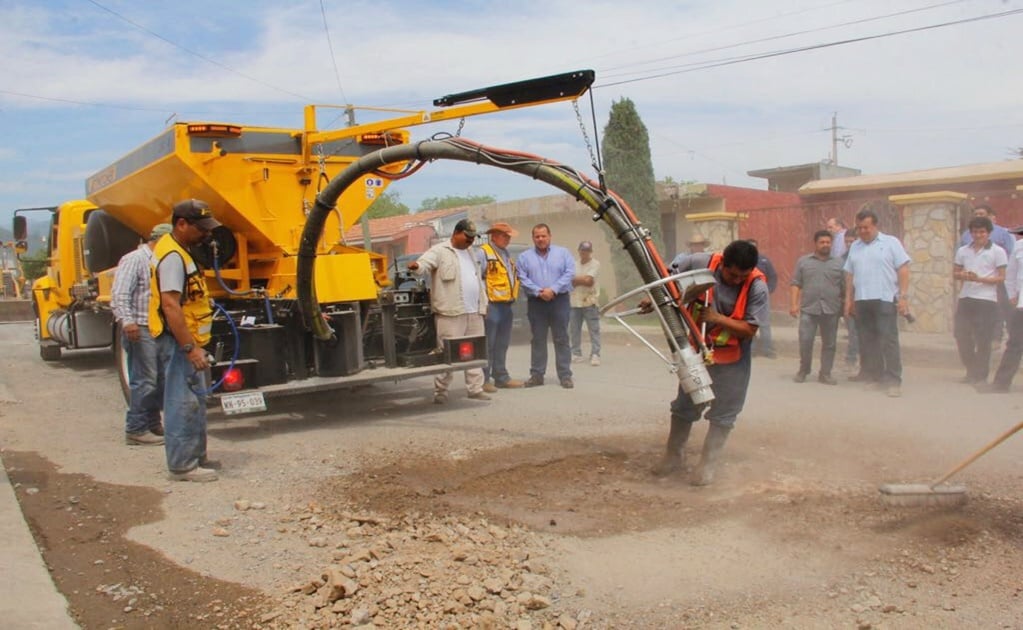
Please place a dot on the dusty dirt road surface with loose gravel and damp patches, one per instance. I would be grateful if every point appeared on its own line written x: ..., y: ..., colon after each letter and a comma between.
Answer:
x: 376, y: 508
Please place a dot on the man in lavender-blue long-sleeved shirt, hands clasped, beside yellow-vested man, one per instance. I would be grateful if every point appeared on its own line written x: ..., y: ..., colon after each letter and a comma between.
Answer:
x: 546, y: 274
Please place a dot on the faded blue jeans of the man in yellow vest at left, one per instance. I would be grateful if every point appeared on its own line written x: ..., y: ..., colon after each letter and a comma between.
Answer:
x: 185, y: 409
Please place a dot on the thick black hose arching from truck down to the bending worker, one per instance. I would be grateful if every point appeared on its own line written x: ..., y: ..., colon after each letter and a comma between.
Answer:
x: 607, y: 208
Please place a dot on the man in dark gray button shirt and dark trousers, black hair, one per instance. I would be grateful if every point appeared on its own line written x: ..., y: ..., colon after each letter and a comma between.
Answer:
x: 817, y: 293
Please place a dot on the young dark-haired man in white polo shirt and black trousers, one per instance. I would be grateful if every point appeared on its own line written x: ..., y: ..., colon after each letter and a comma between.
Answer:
x: 982, y: 268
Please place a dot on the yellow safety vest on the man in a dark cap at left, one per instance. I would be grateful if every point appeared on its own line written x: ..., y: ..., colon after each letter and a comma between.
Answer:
x: 195, y: 299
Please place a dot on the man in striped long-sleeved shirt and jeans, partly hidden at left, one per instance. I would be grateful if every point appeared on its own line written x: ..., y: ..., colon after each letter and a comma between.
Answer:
x: 130, y: 303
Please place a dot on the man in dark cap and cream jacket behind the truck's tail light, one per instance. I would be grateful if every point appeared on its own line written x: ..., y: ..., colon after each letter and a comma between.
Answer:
x: 459, y: 300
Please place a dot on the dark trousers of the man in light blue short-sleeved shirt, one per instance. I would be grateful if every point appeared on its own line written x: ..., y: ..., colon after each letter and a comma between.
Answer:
x: 880, y: 356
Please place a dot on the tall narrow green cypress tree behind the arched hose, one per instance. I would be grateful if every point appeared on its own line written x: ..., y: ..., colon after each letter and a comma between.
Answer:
x: 630, y: 172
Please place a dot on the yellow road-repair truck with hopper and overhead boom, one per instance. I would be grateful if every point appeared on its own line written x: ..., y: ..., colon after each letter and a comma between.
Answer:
x: 262, y: 184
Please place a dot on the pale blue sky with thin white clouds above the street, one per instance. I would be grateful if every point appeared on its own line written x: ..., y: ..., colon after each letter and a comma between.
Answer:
x: 84, y: 82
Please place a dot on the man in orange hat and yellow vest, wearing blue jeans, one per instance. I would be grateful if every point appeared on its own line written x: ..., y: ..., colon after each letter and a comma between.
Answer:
x: 503, y: 290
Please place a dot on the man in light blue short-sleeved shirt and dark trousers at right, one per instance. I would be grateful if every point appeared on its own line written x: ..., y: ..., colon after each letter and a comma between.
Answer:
x: 876, y: 285
